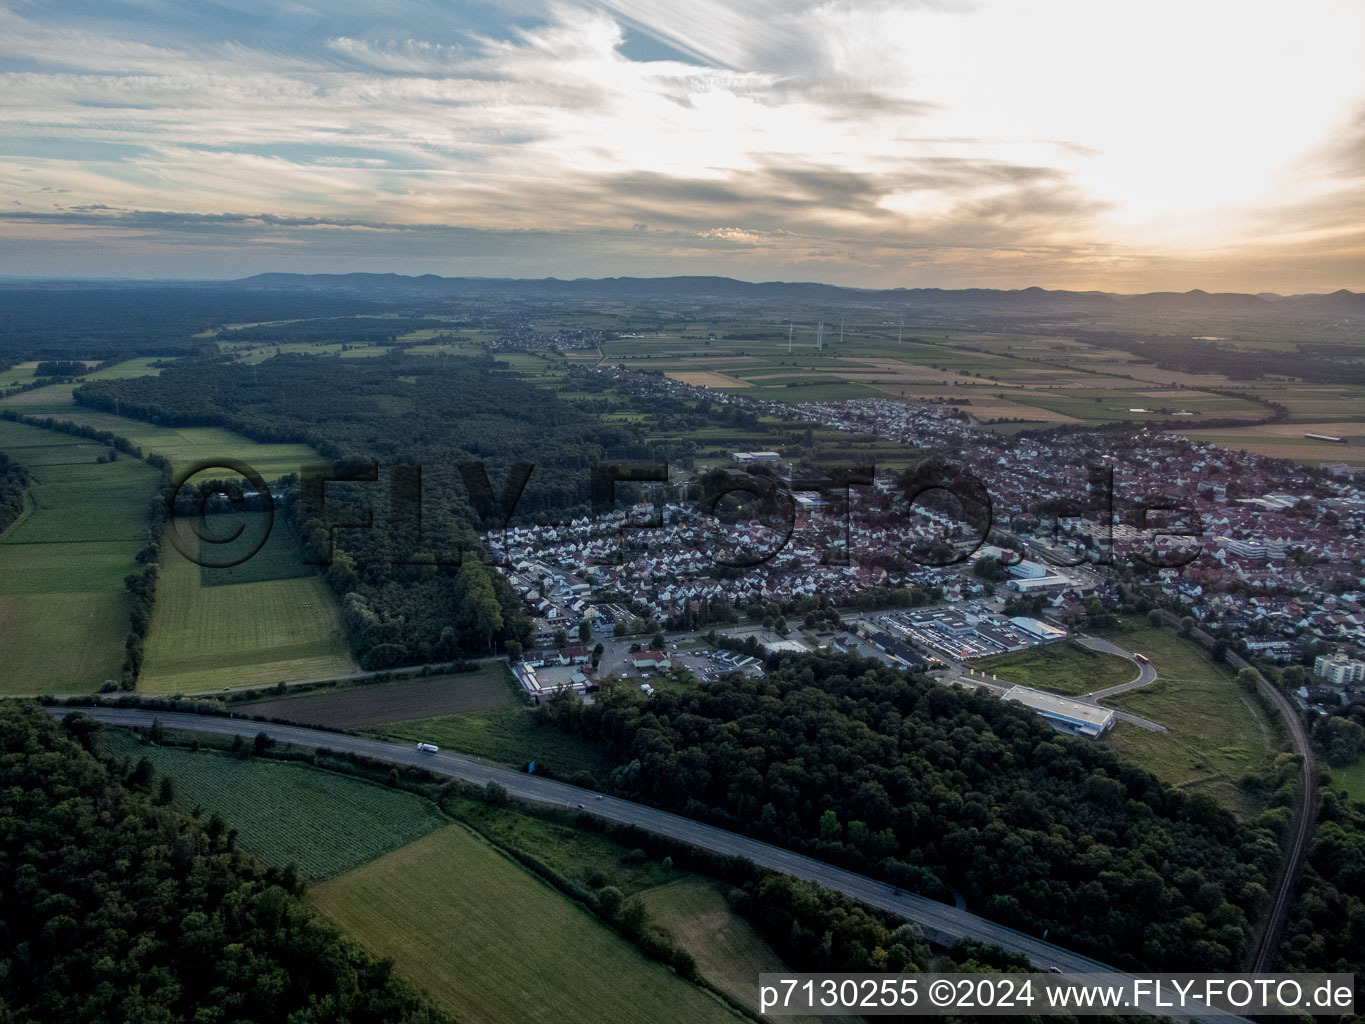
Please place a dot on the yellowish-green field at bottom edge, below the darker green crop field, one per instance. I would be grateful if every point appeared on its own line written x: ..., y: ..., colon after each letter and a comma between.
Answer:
x: 491, y: 943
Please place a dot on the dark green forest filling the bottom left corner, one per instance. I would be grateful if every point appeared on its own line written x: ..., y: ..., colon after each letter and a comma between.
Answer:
x: 117, y: 907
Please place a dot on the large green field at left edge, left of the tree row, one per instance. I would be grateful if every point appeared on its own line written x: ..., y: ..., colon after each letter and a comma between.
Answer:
x: 63, y: 608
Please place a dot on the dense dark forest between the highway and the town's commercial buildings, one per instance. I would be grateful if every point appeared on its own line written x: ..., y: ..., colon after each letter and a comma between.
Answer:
x: 938, y: 790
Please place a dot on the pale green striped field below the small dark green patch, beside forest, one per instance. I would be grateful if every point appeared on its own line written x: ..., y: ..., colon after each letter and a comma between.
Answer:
x: 238, y: 636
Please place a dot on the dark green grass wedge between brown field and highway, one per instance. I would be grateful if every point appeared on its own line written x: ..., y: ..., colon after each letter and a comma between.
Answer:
x: 507, y: 735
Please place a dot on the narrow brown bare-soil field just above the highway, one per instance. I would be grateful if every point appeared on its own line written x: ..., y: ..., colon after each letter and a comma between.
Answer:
x: 391, y: 702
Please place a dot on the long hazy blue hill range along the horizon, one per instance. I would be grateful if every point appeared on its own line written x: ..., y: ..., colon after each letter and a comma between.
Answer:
x: 1024, y: 300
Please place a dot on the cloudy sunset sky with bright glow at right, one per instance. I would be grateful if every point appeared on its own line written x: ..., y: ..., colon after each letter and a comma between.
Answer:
x: 1065, y: 144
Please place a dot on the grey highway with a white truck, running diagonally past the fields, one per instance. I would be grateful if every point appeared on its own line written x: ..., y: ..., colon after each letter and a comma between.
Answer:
x: 943, y: 924
